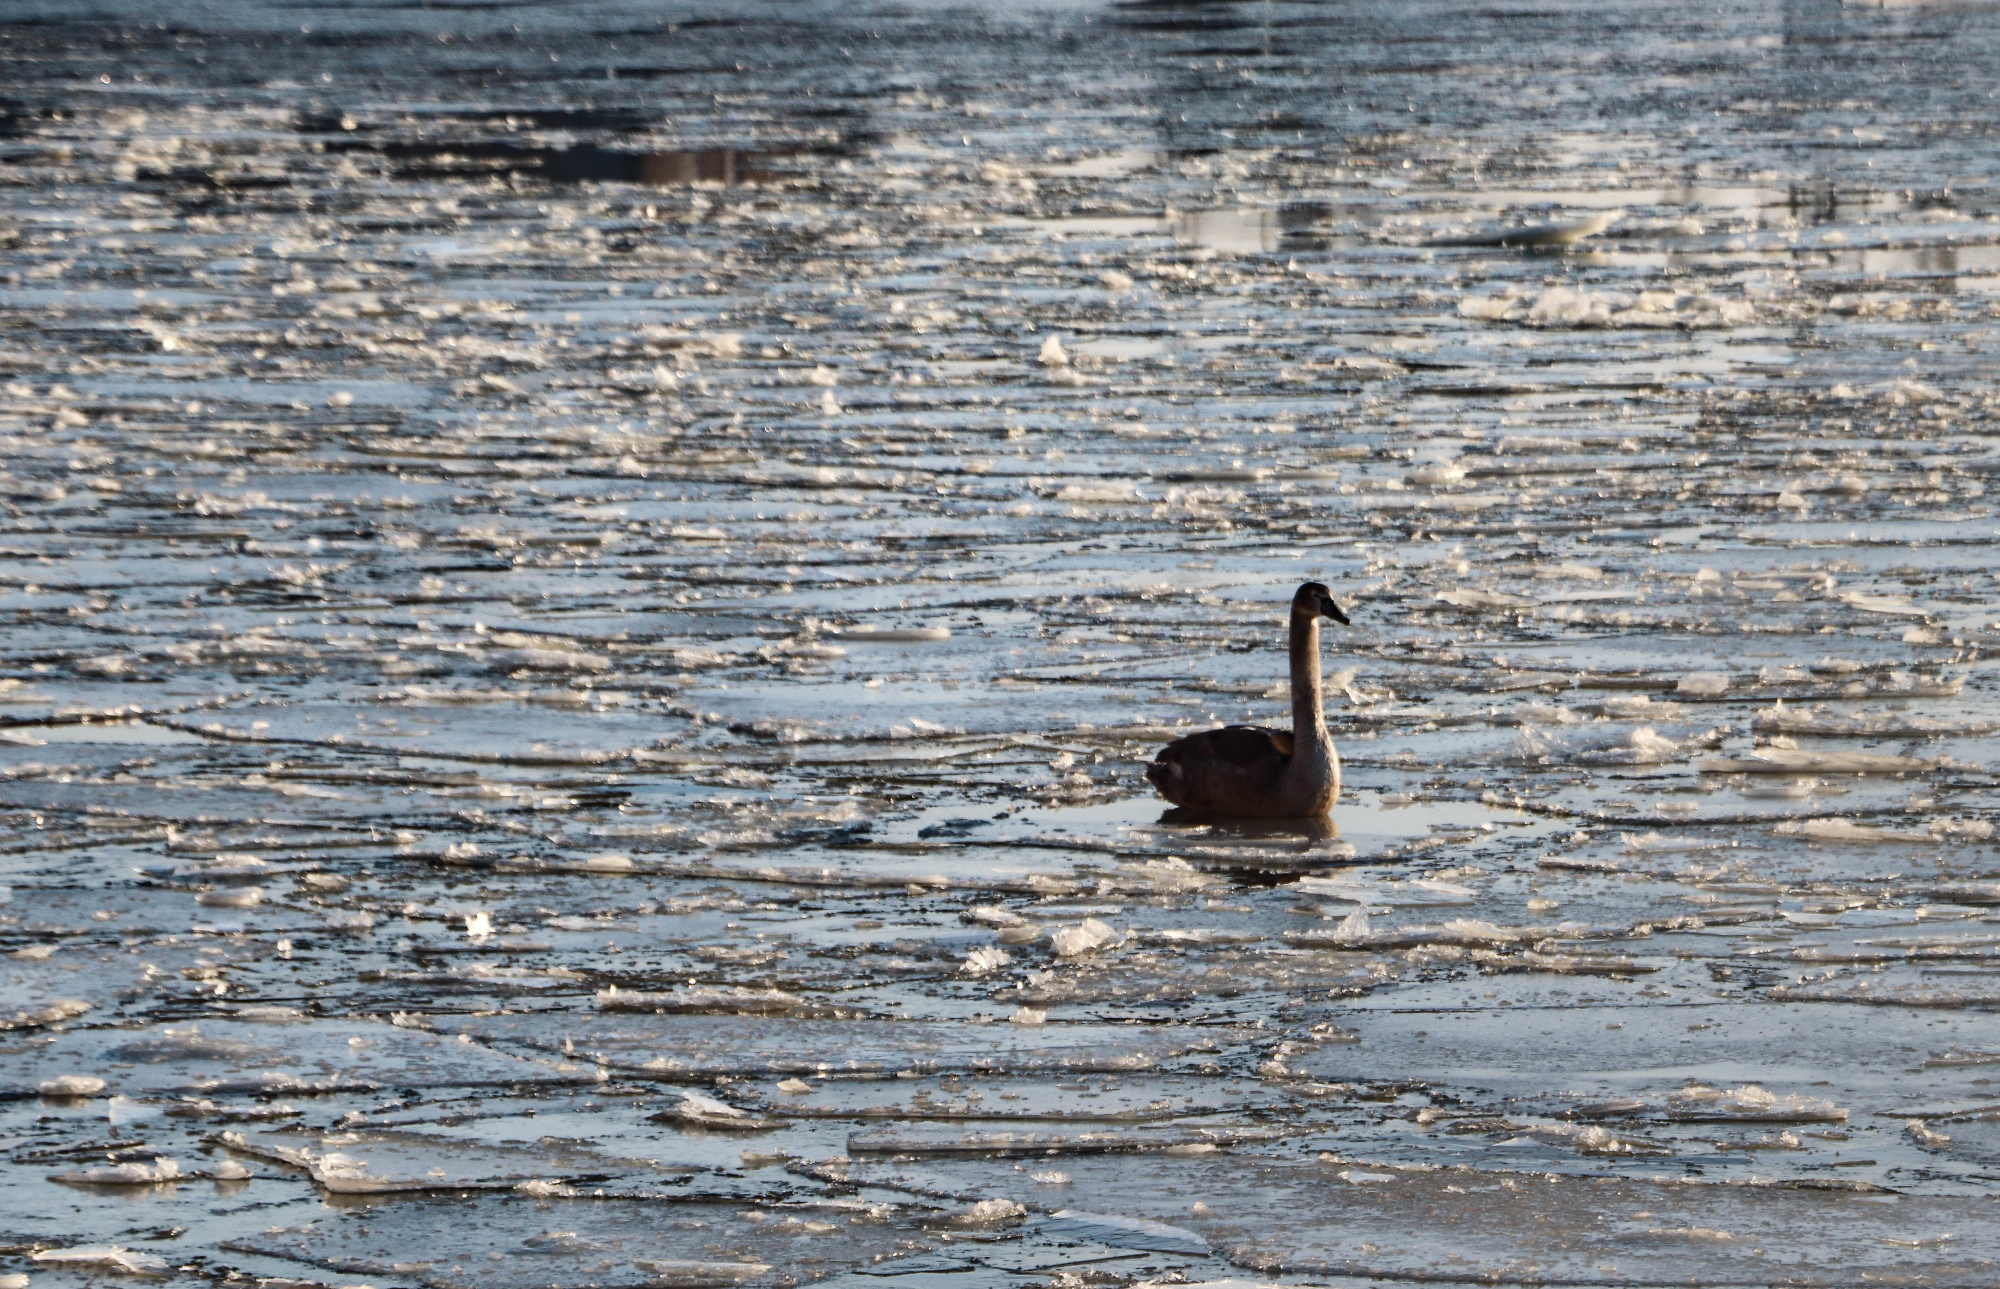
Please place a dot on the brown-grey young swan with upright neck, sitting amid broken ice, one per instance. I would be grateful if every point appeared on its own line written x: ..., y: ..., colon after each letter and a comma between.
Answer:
x: 1267, y: 774
